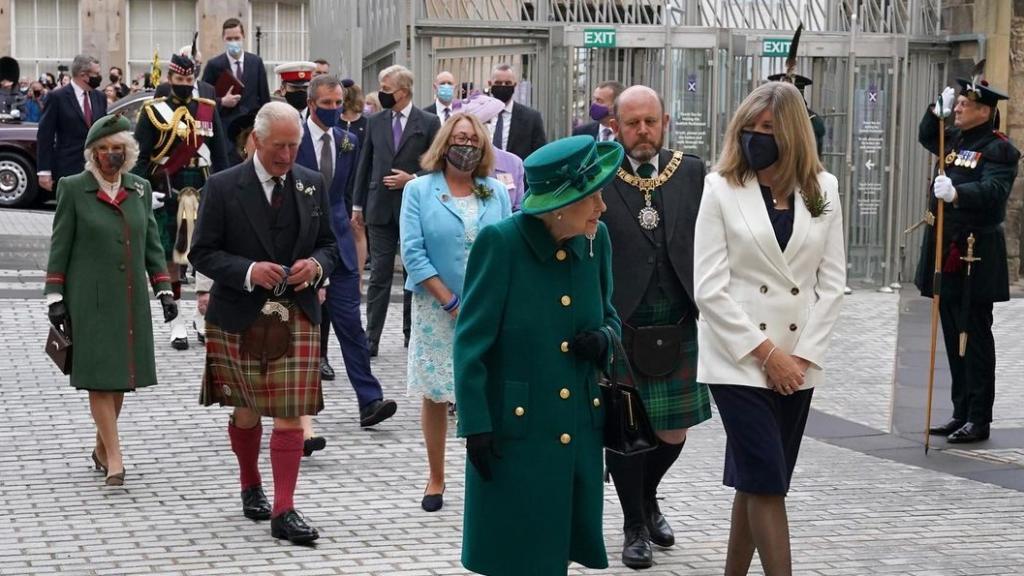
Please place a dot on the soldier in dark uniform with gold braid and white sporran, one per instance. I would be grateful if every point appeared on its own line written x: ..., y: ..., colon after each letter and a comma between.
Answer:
x: 182, y: 143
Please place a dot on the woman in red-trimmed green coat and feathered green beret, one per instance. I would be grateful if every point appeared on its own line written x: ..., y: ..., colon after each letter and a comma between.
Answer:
x: 104, y: 252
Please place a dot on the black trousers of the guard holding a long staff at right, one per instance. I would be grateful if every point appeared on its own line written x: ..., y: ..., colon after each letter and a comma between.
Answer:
x: 973, y: 376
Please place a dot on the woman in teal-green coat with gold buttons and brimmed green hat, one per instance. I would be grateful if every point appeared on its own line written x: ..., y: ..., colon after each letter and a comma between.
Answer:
x: 531, y: 340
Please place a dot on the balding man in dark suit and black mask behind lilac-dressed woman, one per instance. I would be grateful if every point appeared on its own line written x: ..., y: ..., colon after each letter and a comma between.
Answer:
x: 519, y: 129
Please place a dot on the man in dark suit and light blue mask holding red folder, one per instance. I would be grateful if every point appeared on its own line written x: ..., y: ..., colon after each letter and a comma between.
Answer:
x: 247, y: 68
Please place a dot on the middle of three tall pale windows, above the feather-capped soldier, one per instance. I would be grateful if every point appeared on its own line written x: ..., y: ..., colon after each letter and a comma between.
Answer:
x: 158, y: 25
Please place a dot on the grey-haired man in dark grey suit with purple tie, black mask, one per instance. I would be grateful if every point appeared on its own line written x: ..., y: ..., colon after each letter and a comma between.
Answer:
x: 391, y: 158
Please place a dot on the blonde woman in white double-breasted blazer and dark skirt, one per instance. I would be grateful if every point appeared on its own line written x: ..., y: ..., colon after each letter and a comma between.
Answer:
x: 770, y: 273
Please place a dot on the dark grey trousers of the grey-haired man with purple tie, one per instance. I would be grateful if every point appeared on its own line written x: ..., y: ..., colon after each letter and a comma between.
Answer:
x: 385, y: 246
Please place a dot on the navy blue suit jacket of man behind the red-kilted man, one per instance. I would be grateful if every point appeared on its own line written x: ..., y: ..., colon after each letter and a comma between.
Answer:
x: 342, y: 190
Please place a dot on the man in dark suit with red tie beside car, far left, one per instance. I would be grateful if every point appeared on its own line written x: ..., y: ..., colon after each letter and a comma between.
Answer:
x: 66, y: 121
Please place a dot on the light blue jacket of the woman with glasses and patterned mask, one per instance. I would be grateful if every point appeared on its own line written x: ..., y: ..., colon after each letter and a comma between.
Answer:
x: 434, y: 237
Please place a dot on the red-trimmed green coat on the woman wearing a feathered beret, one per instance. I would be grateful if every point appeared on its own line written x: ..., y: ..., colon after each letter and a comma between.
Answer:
x: 102, y: 254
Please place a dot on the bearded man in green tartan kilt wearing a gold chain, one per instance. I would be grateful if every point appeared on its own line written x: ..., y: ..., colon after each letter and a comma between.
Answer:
x: 653, y: 210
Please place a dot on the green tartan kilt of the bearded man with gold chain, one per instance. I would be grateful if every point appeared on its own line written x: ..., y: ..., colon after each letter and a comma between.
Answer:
x: 676, y: 401
